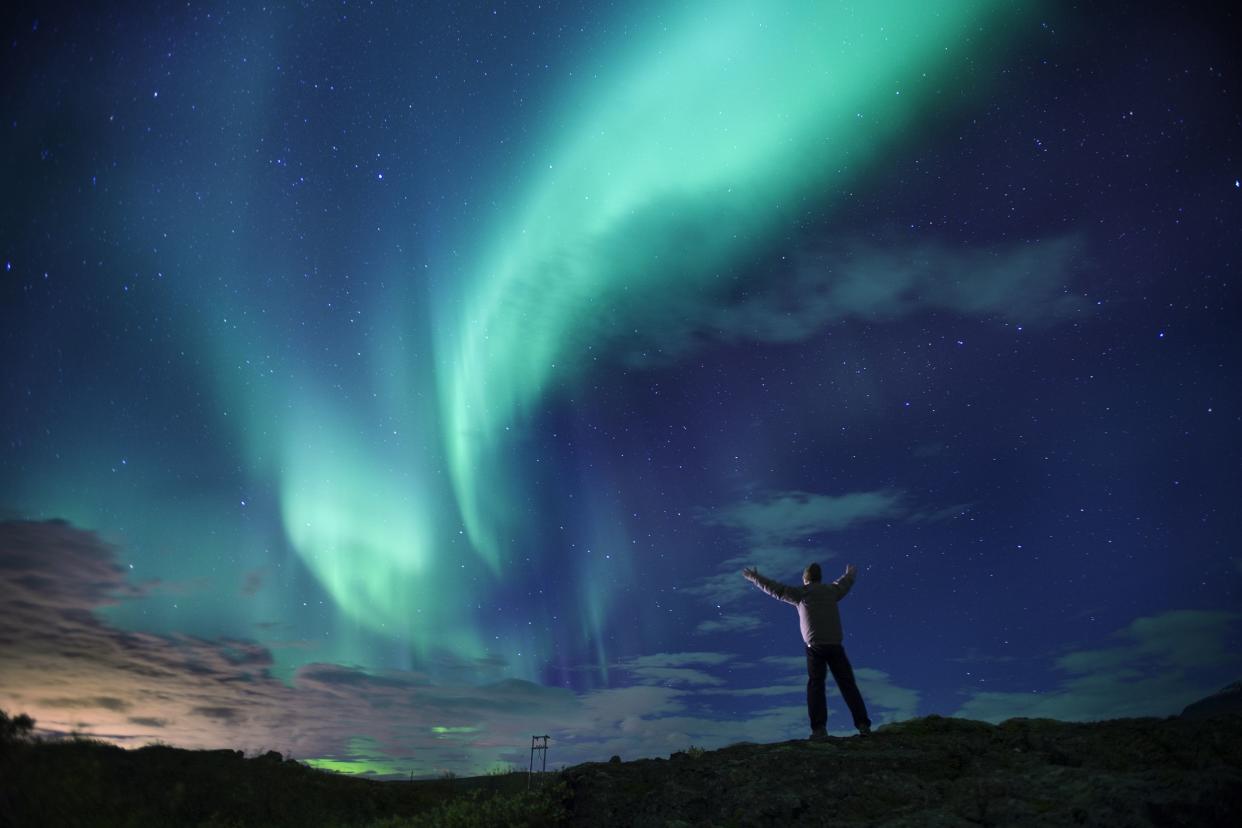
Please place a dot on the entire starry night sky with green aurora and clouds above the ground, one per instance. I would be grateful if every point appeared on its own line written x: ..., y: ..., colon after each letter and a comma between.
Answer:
x: 386, y: 384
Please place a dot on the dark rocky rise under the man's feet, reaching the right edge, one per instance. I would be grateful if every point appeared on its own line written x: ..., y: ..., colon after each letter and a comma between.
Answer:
x: 938, y: 772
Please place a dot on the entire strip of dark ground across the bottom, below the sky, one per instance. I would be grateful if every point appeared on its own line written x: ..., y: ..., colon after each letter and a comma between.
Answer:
x: 933, y: 772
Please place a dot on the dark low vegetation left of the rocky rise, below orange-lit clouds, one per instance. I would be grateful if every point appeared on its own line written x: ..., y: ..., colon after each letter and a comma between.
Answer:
x: 81, y: 781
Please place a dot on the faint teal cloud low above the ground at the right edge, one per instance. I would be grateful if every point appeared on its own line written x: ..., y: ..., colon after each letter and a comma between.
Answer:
x: 1154, y: 667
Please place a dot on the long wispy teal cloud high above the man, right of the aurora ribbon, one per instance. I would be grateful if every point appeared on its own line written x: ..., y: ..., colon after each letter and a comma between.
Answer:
x: 836, y: 280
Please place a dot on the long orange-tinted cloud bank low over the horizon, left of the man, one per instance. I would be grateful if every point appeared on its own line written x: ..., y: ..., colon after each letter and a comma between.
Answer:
x: 71, y: 671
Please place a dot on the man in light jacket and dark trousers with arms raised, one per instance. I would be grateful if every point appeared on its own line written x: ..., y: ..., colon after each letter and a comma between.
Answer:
x: 822, y: 630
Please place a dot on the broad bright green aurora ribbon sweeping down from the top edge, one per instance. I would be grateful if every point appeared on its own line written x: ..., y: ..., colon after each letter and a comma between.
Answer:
x: 714, y: 136
